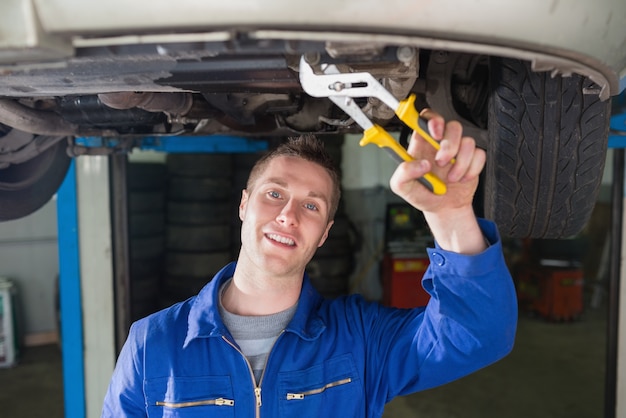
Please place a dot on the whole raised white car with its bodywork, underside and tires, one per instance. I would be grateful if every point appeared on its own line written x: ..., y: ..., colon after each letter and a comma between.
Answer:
x: 530, y: 80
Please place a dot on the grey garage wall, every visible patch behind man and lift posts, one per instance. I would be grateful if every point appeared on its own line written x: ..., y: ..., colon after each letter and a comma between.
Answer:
x: 29, y: 252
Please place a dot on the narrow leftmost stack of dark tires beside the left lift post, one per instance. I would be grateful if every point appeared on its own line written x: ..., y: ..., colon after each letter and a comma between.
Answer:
x: 146, y: 185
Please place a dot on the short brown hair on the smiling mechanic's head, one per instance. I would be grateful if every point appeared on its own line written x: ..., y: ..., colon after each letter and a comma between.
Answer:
x: 307, y: 147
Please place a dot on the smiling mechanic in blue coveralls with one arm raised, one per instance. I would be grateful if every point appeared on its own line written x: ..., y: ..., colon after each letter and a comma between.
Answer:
x: 258, y: 340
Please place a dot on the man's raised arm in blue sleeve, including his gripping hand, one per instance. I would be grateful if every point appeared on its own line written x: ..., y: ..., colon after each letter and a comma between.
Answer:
x: 471, y: 318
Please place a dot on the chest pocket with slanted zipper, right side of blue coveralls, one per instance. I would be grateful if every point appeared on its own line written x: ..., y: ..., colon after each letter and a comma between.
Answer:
x: 332, y: 388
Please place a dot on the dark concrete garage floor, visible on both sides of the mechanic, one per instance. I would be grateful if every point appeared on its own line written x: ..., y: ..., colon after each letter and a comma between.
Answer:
x: 555, y: 370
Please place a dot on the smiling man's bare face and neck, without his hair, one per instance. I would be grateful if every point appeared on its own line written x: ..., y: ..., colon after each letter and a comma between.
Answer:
x: 286, y: 214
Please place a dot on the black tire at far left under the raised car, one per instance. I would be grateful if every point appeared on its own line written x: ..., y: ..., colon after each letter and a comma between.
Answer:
x: 28, y: 186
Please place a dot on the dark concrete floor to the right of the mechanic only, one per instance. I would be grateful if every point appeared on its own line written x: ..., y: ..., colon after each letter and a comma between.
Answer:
x: 556, y: 370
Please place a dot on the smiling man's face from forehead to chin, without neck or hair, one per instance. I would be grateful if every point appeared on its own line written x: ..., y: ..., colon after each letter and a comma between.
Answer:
x: 285, y: 216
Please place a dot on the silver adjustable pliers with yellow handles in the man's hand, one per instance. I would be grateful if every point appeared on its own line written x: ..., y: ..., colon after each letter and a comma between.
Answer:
x: 341, y: 88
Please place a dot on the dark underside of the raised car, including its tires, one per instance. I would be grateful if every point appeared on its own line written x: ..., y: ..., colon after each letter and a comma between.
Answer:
x: 545, y: 132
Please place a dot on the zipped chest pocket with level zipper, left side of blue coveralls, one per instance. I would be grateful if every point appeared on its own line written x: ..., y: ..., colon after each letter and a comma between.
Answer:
x: 190, y: 397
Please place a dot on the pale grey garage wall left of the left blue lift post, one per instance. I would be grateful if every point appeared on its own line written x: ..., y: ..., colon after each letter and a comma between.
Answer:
x: 29, y: 257
